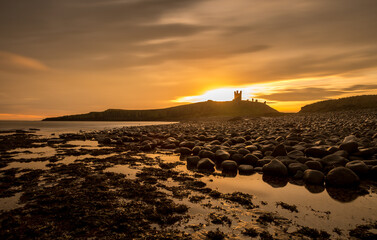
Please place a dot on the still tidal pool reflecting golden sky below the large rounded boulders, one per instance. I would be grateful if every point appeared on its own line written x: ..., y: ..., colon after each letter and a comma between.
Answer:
x: 318, y: 207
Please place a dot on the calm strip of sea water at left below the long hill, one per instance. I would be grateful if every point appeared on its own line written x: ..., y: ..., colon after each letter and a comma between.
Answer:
x: 59, y: 127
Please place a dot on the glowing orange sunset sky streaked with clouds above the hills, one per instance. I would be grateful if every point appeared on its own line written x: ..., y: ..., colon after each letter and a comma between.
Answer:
x: 76, y: 56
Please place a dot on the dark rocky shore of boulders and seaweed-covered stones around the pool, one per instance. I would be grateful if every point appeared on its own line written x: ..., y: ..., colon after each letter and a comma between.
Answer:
x: 156, y: 199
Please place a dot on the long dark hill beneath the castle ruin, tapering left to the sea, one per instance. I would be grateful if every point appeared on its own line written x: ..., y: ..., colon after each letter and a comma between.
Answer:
x: 184, y: 112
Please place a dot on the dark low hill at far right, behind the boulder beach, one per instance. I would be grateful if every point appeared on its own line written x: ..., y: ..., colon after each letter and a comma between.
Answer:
x: 342, y: 104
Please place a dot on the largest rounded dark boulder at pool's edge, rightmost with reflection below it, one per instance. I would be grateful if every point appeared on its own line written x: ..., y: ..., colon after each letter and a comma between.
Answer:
x: 342, y: 177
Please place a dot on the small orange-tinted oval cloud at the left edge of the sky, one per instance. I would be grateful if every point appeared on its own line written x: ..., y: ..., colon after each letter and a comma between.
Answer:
x: 10, y: 62
